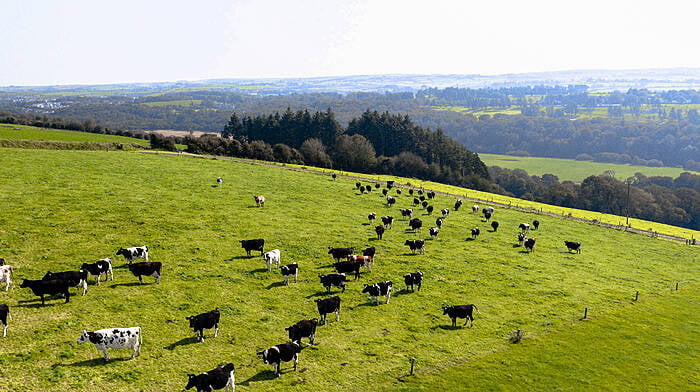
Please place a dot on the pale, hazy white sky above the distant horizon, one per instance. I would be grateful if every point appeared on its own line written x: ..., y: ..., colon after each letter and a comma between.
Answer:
x: 92, y: 41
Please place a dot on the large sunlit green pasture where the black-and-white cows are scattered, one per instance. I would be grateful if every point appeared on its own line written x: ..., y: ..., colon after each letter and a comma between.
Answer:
x: 62, y: 208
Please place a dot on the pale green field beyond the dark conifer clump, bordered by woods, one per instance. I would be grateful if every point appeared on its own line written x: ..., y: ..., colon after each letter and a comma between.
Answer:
x: 573, y: 170
